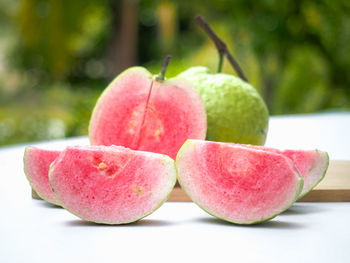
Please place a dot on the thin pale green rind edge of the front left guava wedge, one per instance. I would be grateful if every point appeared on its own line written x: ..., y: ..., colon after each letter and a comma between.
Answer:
x: 126, y: 222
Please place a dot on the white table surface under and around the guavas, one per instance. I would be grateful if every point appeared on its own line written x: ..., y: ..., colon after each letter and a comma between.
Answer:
x: 34, y: 231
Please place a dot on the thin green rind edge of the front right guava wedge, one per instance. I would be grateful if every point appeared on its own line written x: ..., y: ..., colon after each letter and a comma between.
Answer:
x: 300, y: 188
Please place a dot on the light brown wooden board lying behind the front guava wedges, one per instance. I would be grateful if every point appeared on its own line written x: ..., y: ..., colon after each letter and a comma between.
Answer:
x: 335, y: 187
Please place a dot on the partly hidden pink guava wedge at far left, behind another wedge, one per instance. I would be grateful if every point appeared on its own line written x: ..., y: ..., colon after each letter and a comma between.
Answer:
x: 36, y: 167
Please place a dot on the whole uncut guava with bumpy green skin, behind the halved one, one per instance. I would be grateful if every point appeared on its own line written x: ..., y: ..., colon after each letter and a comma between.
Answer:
x: 235, y: 110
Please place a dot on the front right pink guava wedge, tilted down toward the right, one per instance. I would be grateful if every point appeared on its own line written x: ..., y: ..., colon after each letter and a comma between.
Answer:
x: 238, y: 184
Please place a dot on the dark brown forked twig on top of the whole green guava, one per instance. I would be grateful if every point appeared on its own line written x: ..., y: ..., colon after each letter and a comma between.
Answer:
x: 220, y: 46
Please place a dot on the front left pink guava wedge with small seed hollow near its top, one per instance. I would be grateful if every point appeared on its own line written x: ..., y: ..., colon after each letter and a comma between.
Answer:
x: 111, y: 185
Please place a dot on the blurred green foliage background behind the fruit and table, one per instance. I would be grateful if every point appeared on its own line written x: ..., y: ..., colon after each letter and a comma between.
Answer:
x: 56, y: 56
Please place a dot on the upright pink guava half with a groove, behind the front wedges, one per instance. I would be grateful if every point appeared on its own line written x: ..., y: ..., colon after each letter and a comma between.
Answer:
x: 159, y: 119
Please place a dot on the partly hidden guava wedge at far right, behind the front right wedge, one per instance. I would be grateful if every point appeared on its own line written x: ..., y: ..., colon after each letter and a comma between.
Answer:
x: 311, y: 164
